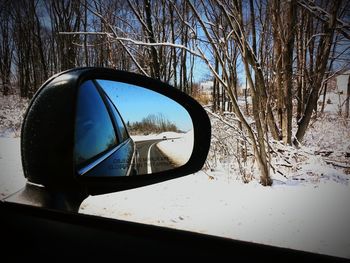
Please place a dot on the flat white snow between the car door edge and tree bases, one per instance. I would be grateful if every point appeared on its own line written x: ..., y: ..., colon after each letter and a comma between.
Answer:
x: 309, y: 217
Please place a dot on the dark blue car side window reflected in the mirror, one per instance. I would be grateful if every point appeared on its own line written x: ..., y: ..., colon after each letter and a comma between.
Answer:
x: 94, y: 132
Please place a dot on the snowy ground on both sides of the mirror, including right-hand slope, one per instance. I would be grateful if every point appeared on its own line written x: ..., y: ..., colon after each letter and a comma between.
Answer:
x: 307, y: 209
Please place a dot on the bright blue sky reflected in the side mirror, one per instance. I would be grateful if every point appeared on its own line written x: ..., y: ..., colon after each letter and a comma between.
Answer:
x: 135, y: 103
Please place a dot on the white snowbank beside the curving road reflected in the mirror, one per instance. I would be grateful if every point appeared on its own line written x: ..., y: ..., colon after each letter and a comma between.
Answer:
x: 178, y: 150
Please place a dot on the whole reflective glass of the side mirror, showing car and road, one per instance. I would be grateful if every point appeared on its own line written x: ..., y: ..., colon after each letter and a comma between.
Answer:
x: 125, y: 130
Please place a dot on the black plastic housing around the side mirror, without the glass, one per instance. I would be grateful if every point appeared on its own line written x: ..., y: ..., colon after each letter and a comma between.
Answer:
x: 47, y: 139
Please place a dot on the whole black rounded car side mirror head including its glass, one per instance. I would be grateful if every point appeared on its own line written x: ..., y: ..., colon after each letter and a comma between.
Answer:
x: 97, y: 130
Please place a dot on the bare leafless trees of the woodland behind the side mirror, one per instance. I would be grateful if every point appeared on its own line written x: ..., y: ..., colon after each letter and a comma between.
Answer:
x: 287, y: 52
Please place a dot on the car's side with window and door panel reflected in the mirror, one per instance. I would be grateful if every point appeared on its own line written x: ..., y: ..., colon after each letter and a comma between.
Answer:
x: 102, y: 146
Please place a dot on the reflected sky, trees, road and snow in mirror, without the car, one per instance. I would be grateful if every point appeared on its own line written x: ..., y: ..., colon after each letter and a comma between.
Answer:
x: 161, y: 128
